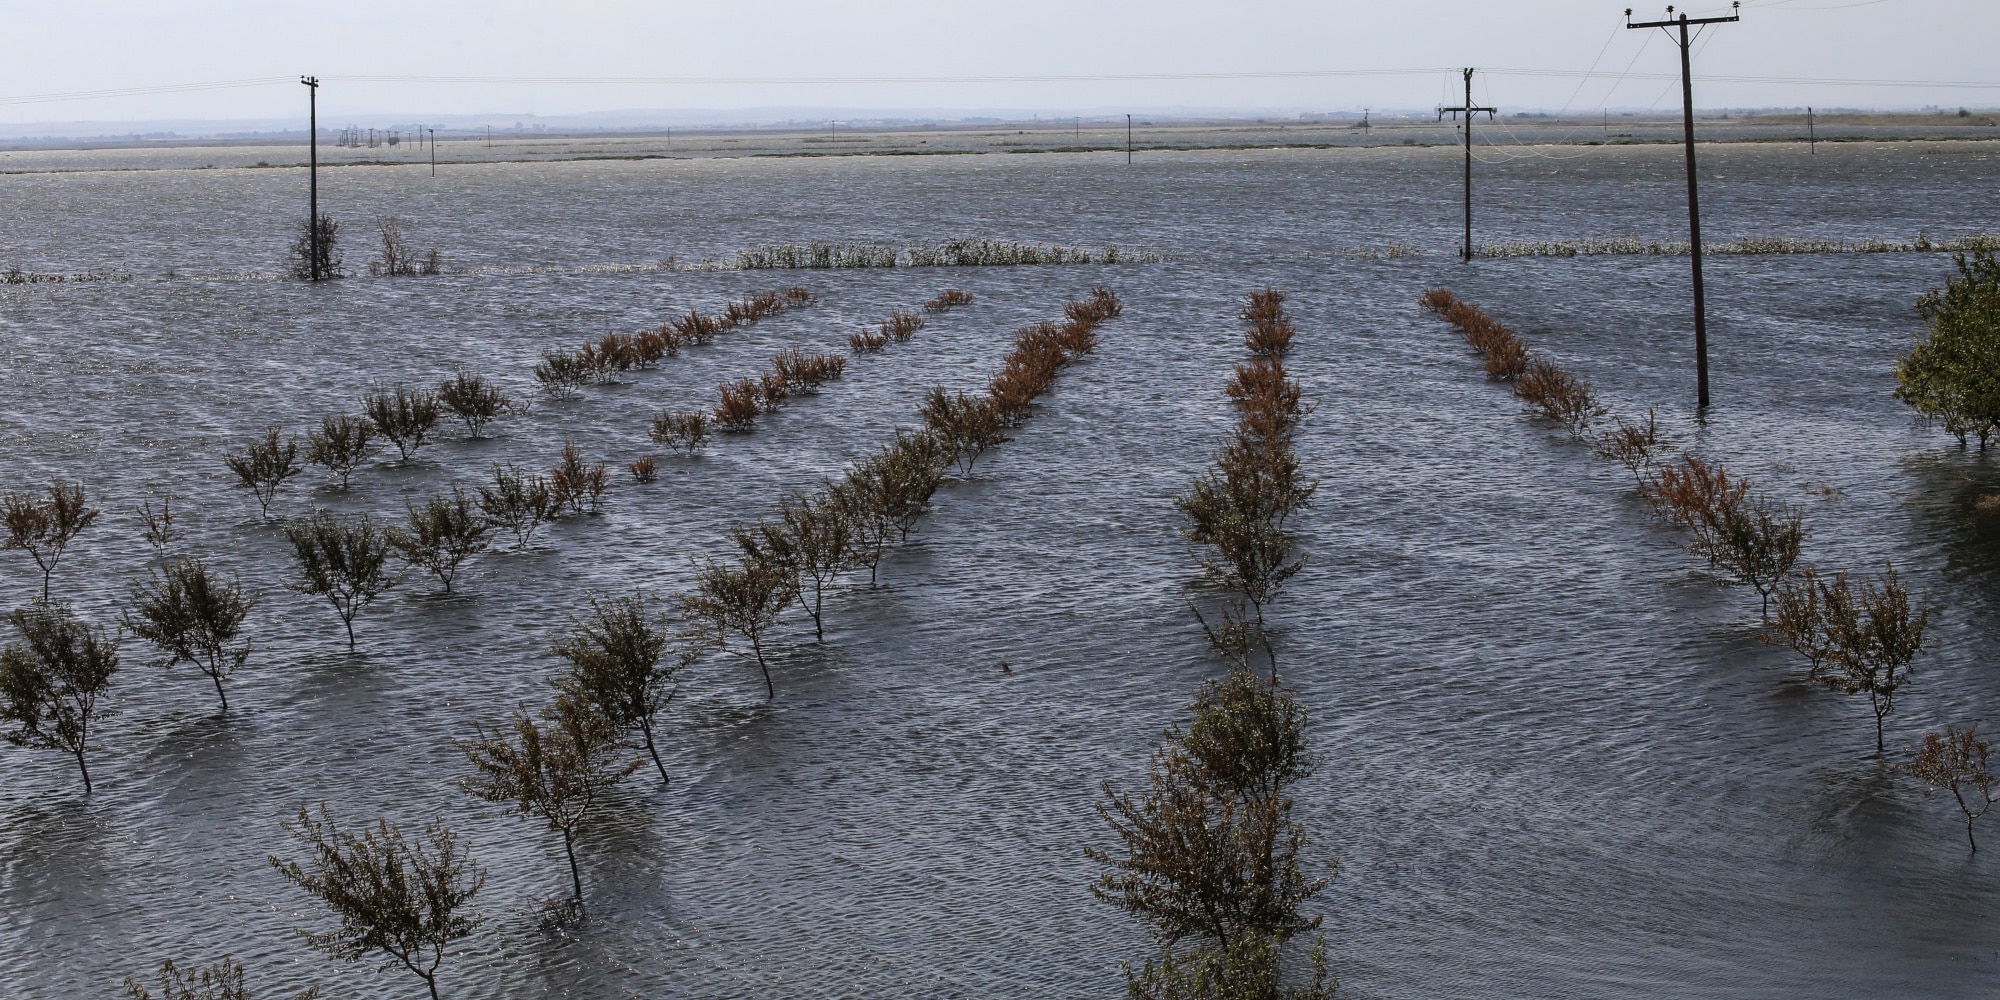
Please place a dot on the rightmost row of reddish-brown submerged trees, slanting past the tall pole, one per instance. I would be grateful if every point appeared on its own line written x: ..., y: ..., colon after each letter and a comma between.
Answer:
x: 1857, y: 635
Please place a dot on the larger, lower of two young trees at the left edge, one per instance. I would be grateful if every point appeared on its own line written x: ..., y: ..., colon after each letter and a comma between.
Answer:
x: 51, y: 681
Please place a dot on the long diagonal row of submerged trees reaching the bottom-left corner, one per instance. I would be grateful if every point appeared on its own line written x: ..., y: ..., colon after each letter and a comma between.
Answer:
x: 407, y: 897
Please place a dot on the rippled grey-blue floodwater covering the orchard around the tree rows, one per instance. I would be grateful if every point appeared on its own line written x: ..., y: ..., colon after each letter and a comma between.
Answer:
x: 1557, y: 761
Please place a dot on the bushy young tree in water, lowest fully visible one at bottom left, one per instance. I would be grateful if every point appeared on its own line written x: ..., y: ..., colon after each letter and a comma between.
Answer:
x: 405, y: 899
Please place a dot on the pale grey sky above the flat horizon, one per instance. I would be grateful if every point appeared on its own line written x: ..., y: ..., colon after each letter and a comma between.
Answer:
x: 93, y: 45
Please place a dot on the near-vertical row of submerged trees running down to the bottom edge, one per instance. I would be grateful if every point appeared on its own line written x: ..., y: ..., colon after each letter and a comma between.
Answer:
x: 1211, y: 857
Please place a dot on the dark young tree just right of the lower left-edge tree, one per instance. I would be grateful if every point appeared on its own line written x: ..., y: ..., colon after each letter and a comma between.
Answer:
x: 197, y: 617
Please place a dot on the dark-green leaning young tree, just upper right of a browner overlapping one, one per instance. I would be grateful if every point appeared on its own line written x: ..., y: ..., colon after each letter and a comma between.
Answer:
x: 615, y: 667
